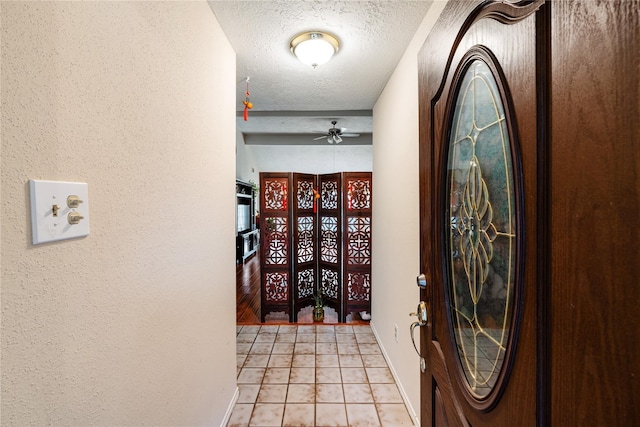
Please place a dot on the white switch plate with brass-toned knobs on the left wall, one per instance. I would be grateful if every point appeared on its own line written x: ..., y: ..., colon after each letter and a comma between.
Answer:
x: 50, y: 210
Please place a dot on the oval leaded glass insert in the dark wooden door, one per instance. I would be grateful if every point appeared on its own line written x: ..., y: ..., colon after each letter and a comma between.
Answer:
x: 481, y: 237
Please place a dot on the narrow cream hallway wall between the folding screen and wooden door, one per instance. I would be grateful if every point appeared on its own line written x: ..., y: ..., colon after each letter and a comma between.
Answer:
x: 395, y: 246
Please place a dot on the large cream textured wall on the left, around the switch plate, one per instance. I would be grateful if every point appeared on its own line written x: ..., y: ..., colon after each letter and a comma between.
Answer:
x: 134, y: 324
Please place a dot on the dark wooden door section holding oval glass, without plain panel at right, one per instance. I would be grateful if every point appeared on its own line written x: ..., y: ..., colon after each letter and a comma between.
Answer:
x: 481, y: 72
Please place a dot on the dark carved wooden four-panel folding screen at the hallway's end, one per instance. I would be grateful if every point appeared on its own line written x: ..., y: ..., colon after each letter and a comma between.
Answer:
x: 315, y: 236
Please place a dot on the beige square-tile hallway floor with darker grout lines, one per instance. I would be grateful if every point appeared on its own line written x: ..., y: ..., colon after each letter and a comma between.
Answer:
x: 314, y: 375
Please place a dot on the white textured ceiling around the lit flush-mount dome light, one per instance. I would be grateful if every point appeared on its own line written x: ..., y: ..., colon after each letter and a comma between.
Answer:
x: 291, y: 98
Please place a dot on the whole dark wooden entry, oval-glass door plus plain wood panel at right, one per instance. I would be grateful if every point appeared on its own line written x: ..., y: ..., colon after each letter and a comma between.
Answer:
x: 529, y: 166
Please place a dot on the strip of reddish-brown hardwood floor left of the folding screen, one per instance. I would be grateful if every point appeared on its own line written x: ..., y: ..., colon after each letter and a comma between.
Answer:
x: 248, y: 291
